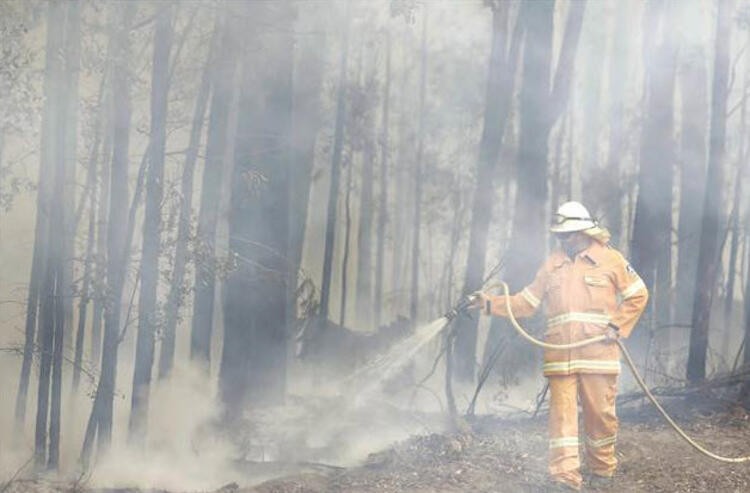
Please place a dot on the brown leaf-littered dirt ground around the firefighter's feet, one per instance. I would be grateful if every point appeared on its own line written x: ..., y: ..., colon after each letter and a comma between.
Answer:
x: 509, y: 455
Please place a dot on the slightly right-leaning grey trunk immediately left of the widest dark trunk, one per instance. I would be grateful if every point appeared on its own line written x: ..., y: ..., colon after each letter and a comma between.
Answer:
x: 205, y: 275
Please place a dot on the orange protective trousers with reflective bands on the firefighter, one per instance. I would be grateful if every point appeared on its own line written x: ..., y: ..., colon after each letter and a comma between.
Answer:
x: 596, y: 393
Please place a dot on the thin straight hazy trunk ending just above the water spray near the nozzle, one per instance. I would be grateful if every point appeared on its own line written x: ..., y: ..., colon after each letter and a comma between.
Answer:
x: 417, y: 218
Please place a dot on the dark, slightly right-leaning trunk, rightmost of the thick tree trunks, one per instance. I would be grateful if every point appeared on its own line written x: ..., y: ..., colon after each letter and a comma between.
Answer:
x: 712, y: 220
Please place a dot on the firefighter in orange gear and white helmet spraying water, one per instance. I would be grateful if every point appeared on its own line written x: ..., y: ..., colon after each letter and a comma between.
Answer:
x: 586, y: 289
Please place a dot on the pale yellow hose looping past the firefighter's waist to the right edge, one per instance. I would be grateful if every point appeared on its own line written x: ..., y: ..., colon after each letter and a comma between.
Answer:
x: 631, y: 365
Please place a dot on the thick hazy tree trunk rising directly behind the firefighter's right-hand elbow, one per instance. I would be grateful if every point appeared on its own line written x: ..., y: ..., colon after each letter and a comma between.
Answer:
x: 651, y: 240
